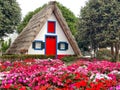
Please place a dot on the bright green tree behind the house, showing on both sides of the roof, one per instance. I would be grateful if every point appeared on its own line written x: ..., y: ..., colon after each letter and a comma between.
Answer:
x: 68, y: 15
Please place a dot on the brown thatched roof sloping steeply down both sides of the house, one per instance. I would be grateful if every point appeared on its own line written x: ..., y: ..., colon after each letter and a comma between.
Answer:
x: 26, y: 37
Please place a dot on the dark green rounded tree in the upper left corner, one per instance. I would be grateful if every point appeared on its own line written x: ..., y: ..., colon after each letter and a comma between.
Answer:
x: 10, y: 16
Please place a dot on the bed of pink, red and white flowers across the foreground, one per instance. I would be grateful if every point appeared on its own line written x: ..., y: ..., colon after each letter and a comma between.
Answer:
x: 55, y: 75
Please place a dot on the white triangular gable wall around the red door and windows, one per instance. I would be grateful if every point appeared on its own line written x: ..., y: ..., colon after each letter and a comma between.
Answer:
x: 60, y: 38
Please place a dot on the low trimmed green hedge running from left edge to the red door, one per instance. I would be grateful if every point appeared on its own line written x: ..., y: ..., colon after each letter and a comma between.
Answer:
x: 22, y: 57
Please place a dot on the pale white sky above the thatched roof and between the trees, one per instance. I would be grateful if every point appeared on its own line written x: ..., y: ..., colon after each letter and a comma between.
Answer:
x: 31, y: 5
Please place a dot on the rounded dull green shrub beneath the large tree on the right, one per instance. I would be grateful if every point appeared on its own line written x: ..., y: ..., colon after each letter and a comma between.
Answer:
x: 104, y: 54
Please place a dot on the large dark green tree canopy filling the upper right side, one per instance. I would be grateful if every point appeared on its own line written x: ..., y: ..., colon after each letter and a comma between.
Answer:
x: 99, y: 24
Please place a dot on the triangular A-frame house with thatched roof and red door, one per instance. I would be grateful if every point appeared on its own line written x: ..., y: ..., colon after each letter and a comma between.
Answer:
x: 47, y: 33
